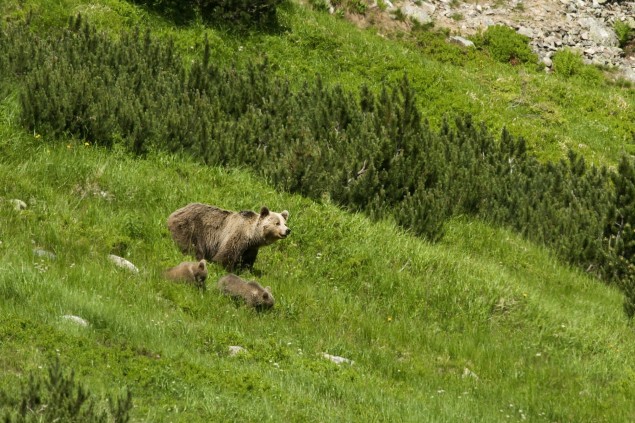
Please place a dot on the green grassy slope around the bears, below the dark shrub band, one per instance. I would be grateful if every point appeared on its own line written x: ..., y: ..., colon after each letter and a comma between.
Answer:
x: 479, y: 327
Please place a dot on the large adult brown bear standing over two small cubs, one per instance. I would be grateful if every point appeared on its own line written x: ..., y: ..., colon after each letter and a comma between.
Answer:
x: 226, y: 237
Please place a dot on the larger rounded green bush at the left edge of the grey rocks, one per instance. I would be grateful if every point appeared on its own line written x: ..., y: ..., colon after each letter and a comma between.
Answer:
x: 506, y: 45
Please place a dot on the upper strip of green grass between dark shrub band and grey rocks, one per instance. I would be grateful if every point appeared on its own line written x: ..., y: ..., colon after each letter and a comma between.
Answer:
x: 554, y: 113
